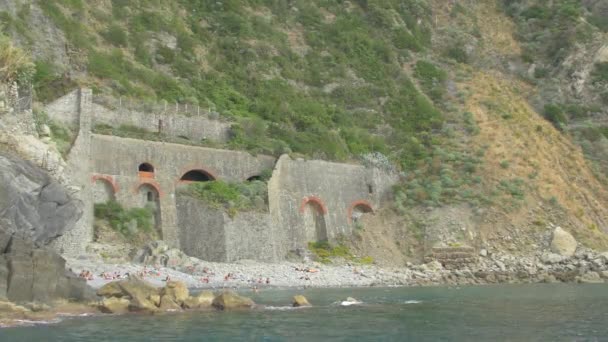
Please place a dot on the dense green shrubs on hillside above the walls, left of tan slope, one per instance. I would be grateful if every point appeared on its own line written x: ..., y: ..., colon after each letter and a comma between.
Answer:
x: 256, y: 75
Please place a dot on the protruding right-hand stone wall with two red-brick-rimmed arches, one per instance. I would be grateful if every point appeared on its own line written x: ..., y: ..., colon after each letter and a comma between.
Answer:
x: 308, y: 196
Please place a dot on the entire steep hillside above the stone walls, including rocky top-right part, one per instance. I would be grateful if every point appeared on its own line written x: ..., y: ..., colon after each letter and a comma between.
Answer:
x: 494, y: 111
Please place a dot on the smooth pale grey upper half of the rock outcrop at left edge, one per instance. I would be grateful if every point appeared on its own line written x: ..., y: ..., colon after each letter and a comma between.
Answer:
x: 32, y: 203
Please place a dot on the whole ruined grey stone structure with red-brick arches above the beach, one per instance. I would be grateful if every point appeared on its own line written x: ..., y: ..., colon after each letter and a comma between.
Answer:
x: 307, y: 200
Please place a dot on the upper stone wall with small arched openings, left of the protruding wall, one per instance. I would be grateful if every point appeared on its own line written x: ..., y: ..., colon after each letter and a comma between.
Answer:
x: 116, y: 160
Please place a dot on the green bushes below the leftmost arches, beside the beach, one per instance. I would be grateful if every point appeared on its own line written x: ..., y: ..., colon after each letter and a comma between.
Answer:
x: 125, y: 221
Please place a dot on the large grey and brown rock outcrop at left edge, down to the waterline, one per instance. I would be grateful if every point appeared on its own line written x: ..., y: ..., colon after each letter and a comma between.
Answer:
x: 34, y: 210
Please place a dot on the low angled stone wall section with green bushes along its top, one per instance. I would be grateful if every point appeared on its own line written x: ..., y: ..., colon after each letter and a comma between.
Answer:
x: 211, y: 234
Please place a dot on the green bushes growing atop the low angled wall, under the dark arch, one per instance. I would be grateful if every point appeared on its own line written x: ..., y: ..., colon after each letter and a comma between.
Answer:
x: 234, y: 197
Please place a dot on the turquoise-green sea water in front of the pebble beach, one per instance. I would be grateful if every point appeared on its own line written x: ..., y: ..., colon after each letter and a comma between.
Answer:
x: 490, y: 313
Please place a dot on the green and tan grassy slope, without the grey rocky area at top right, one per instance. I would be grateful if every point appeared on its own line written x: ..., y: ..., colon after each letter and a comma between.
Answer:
x: 423, y: 82
